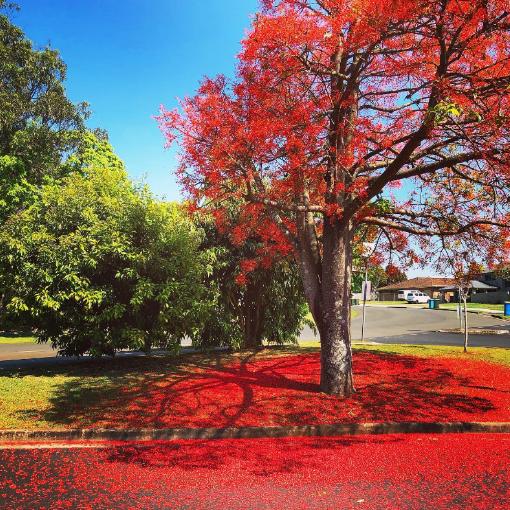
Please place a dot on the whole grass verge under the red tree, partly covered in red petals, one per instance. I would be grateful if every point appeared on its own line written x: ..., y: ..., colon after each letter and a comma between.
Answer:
x: 276, y: 386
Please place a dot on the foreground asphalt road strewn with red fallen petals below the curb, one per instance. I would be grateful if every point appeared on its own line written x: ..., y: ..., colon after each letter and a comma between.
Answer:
x: 404, y: 472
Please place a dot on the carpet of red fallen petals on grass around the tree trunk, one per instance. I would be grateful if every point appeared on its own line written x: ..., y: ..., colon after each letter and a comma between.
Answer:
x: 284, y: 390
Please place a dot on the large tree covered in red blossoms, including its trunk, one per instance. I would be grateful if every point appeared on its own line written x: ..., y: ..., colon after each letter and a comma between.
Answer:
x: 337, y: 104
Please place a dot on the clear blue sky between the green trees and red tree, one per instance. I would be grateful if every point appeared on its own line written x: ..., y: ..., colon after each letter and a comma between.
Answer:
x: 126, y: 58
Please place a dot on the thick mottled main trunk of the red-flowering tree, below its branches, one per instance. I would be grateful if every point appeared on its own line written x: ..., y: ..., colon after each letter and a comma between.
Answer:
x: 335, y: 334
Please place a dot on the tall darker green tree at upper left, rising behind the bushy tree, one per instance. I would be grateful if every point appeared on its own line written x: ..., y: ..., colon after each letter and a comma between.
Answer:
x: 39, y: 125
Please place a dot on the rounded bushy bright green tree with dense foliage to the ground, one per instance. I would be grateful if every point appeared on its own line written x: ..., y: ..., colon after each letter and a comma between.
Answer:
x: 97, y: 264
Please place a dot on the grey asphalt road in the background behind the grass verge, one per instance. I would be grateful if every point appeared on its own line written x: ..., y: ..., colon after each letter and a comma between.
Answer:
x: 383, y: 325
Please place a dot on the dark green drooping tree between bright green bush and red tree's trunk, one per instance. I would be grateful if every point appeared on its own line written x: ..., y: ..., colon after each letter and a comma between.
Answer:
x: 251, y: 297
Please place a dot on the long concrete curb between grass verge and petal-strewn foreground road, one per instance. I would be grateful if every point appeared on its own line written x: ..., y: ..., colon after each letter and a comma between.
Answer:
x: 341, y: 429
